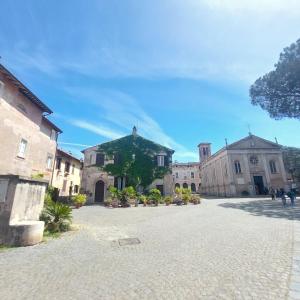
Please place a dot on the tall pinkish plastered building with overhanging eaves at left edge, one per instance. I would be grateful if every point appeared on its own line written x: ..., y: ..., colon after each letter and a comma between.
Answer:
x: 28, y: 138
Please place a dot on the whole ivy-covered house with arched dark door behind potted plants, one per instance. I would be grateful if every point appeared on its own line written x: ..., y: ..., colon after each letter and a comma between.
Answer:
x: 128, y: 161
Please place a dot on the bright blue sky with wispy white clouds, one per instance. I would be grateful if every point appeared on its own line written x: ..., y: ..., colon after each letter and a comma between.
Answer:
x: 178, y: 70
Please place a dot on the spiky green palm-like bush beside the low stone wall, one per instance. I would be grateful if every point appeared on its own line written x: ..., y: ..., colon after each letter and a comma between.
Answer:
x: 57, y: 217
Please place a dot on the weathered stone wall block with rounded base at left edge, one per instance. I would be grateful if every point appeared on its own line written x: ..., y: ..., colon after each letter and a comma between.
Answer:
x: 21, y: 202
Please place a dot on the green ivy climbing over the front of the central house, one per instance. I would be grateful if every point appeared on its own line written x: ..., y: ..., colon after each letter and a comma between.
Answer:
x: 135, y: 159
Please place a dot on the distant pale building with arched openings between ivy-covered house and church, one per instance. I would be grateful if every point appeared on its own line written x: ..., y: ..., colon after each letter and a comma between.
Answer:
x: 187, y: 175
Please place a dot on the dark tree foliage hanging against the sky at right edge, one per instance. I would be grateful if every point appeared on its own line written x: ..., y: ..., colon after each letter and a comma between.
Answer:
x: 278, y: 91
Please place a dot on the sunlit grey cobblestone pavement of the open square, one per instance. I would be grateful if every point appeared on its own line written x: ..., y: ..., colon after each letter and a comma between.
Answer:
x: 221, y: 249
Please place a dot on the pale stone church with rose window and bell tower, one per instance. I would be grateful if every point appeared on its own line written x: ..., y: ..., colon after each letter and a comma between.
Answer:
x: 249, y: 166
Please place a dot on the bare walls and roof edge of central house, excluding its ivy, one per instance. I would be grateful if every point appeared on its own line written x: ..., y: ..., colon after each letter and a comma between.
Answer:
x: 95, y: 181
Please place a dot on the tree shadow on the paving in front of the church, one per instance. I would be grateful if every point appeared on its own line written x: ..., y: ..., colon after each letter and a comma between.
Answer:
x: 267, y: 208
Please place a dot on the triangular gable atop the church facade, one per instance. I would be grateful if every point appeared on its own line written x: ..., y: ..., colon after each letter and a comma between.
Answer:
x: 253, y: 142
